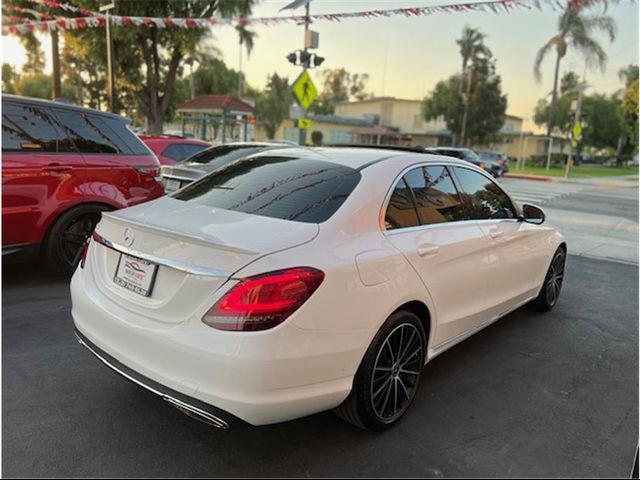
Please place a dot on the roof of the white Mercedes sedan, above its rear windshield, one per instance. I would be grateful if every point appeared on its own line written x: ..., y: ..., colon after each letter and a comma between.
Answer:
x: 355, y: 157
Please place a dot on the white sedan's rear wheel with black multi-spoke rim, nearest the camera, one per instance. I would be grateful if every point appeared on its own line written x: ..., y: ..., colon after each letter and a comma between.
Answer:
x: 387, y: 380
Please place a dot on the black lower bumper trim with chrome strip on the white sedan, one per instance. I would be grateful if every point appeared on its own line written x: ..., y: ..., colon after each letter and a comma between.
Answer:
x: 189, y: 405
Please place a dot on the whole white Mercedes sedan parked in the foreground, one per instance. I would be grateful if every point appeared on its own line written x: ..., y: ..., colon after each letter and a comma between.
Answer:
x: 301, y: 280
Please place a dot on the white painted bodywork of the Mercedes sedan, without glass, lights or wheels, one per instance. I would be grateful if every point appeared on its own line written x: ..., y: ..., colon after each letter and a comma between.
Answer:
x: 306, y: 364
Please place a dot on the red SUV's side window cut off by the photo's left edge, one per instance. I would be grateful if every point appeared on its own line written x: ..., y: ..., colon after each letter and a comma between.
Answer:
x: 30, y: 128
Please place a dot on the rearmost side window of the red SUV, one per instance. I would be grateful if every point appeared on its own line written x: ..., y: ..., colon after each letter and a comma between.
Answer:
x: 89, y: 133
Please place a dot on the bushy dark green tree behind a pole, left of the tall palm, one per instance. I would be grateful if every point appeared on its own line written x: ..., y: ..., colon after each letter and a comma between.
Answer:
x: 487, y: 104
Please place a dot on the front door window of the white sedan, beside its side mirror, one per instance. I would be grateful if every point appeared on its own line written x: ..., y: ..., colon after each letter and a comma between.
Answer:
x: 482, y: 197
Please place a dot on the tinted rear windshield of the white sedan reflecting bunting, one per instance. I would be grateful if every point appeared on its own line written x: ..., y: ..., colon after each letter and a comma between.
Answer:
x: 288, y: 188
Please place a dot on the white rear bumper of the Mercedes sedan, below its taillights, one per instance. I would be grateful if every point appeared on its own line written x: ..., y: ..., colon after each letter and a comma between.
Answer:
x: 260, y: 378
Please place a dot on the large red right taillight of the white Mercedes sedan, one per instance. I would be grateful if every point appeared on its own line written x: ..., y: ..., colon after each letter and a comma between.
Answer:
x: 264, y: 301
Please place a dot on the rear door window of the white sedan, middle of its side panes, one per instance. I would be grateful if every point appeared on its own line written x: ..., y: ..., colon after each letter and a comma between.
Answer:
x: 437, y: 199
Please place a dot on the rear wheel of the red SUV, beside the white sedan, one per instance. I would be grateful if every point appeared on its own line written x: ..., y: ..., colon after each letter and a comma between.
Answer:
x: 68, y: 235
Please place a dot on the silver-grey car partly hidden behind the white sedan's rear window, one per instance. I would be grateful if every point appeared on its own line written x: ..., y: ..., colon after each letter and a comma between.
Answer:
x: 179, y: 175
